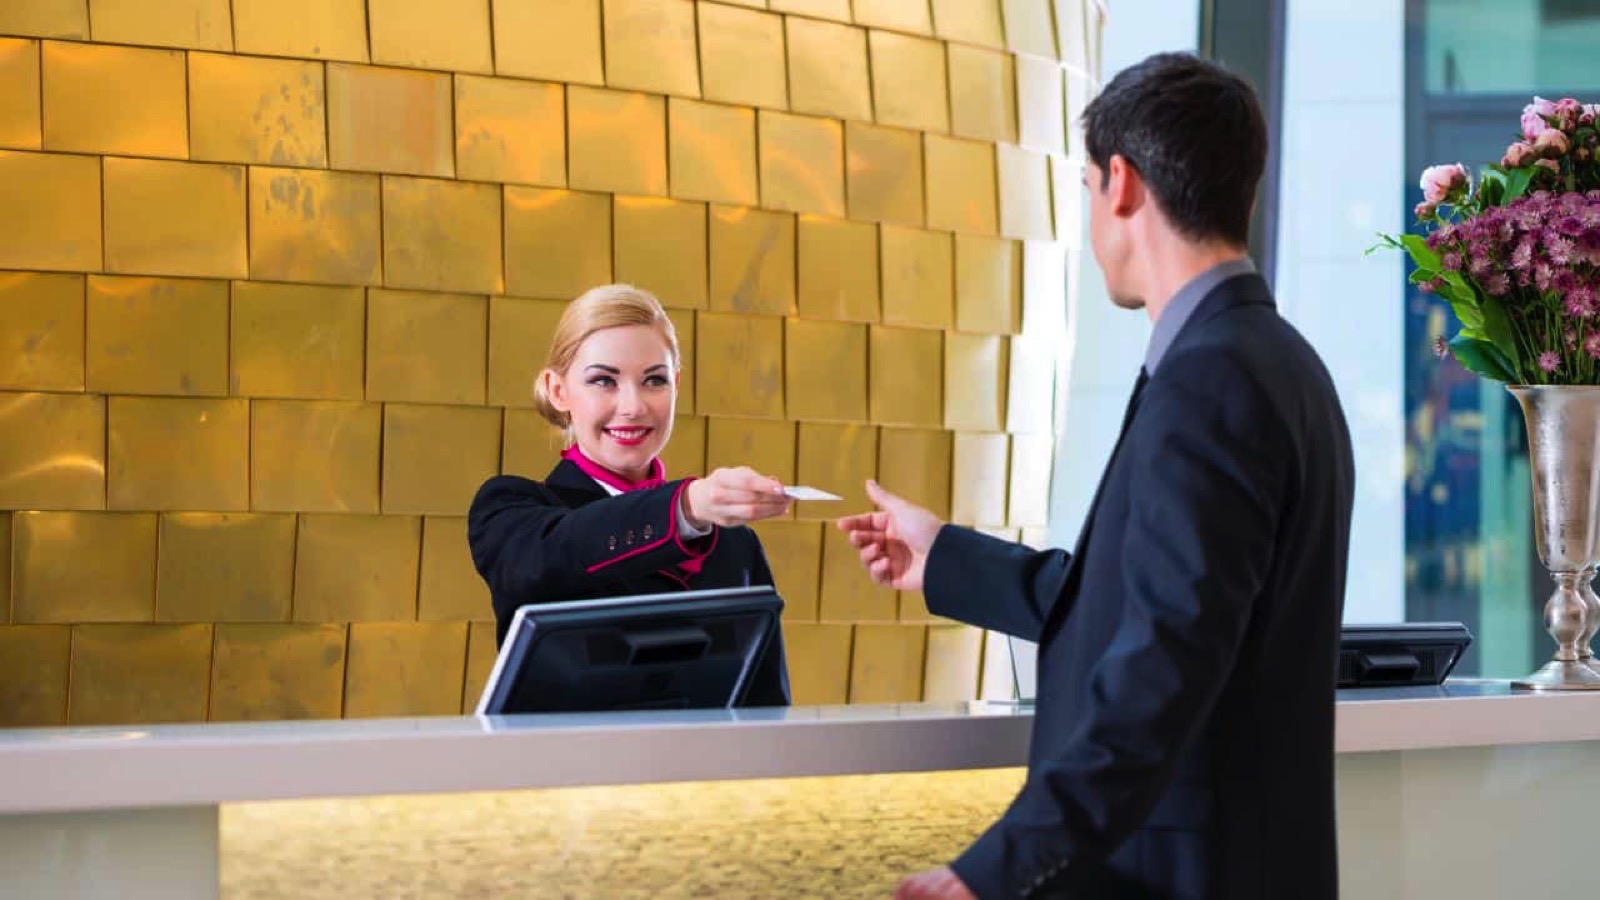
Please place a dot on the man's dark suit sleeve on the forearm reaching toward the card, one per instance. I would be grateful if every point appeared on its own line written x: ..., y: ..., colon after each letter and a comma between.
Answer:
x: 993, y: 584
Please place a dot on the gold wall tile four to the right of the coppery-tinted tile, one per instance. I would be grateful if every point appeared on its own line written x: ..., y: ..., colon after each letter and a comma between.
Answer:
x: 802, y: 164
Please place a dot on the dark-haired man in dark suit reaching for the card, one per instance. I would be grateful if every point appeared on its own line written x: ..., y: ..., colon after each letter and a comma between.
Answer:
x: 1183, y: 739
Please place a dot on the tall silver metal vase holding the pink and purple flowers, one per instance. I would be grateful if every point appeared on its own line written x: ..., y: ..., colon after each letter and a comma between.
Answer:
x: 1564, y: 449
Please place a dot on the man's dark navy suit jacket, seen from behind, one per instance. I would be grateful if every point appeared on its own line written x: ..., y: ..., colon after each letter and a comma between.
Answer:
x: 1183, y: 739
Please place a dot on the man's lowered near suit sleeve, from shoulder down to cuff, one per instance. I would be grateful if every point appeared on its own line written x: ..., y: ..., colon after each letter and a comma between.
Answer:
x: 1210, y: 462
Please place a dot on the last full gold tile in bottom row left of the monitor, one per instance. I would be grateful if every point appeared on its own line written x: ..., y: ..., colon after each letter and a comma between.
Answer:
x: 406, y: 669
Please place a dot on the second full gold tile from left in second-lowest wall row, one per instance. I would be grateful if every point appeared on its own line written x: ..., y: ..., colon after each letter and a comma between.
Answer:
x: 225, y: 568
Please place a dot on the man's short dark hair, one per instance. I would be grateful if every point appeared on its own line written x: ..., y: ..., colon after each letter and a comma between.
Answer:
x: 1196, y: 135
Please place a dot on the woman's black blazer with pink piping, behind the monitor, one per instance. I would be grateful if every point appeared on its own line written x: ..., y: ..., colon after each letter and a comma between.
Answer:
x: 570, y: 540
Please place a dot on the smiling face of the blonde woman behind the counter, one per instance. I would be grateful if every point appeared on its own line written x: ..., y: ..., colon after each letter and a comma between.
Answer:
x: 622, y: 393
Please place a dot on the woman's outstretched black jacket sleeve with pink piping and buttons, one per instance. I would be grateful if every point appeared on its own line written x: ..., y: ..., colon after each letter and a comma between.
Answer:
x: 532, y: 548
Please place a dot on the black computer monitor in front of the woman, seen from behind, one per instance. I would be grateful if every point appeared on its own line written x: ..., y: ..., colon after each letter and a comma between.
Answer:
x: 686, y: 651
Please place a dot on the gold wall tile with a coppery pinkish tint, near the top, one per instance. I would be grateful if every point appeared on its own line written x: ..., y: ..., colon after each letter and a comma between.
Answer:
x: 390, y: 121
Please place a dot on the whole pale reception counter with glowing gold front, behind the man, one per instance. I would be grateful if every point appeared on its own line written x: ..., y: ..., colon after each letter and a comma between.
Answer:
x: 1462, y: 792
